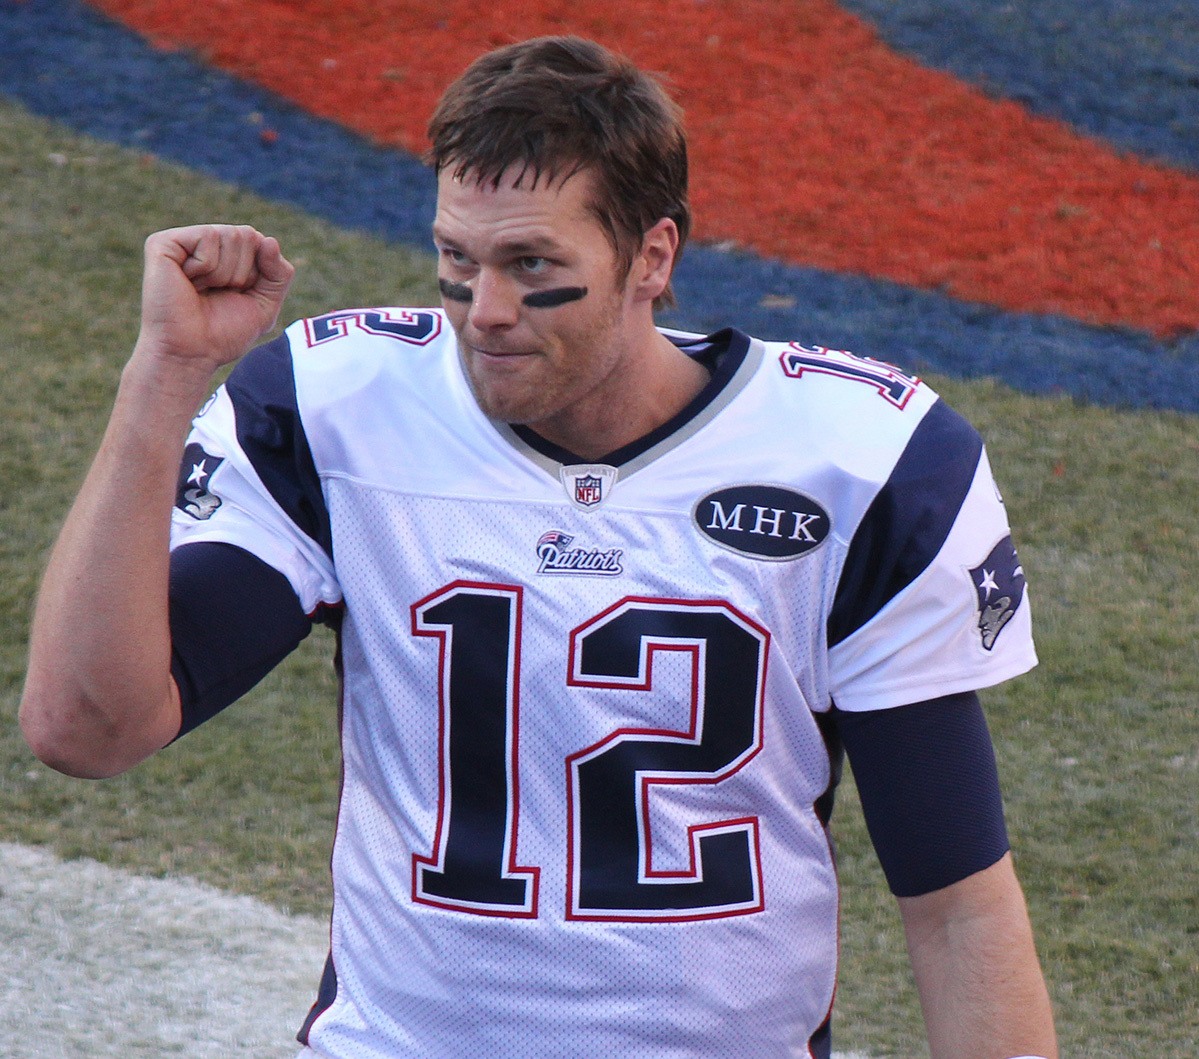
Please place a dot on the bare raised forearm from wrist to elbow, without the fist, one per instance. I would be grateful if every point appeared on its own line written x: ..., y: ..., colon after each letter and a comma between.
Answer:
x: 99, y: 696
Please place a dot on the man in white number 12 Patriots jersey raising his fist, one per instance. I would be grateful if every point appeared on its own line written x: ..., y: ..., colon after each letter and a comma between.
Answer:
x: 611, y: 600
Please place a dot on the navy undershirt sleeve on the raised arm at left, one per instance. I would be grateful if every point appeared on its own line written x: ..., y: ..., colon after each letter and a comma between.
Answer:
x: 233, y: 619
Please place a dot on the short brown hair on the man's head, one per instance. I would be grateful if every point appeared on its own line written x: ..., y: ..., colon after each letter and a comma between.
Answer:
x: 556, y: 106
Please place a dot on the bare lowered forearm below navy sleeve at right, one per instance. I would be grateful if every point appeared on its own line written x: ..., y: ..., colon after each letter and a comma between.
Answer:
x: 977, y: 970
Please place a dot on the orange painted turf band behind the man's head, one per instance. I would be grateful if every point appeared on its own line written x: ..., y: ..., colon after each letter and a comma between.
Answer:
x: 812, y: 141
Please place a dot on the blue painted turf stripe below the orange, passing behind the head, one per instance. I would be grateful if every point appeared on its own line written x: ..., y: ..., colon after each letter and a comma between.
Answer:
x: 63, y: 61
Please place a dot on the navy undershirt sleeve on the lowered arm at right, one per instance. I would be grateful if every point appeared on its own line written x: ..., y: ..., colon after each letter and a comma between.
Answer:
x: 930, y: 789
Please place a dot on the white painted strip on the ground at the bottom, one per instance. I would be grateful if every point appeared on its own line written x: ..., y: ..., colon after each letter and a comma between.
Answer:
x: 97, y: 964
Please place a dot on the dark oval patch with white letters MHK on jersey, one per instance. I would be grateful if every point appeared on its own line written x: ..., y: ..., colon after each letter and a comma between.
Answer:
x: 769, y: 522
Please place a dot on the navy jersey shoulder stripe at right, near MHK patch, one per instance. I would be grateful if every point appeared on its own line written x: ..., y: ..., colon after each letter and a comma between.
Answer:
x: 909, y: 520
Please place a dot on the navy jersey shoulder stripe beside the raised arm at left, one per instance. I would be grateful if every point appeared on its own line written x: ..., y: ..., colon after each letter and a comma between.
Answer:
x: 272, y: 434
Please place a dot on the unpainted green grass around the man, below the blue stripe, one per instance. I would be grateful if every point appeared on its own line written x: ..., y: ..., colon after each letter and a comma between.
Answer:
x: 1098, y: 748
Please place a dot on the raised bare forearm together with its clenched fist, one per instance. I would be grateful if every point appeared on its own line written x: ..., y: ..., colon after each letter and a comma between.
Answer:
x: 99, y: 696
